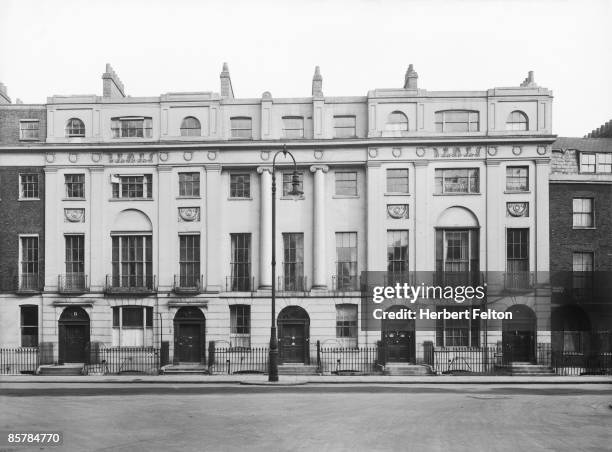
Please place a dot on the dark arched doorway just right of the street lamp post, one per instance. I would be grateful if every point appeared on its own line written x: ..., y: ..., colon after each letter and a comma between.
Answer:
x: 293, y: 335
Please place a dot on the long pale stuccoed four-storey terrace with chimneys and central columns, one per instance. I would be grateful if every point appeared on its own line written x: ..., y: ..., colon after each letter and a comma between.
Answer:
x: 158, y: 217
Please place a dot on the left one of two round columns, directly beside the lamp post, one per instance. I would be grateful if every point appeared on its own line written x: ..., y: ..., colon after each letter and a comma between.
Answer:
x: 265, y: 228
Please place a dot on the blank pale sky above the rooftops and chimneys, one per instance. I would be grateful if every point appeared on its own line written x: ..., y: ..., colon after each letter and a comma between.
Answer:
x: 52, y: 47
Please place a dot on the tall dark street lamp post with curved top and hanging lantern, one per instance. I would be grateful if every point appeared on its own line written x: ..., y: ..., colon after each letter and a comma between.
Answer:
x: 273, y: 357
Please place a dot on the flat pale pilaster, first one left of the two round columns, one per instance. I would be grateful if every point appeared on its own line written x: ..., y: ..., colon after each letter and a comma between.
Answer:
x: 214, y: 260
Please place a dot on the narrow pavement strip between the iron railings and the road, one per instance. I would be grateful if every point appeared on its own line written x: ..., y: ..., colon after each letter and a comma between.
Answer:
x: 306, y: 379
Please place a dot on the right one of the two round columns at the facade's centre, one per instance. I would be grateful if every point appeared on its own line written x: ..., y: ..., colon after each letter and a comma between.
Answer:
x: 319, y: 256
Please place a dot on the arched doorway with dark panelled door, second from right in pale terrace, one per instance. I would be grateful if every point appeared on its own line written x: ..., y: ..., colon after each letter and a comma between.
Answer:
x: 398, y: 338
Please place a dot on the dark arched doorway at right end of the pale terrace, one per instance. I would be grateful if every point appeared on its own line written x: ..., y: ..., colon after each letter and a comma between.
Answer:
x: 519, y: 334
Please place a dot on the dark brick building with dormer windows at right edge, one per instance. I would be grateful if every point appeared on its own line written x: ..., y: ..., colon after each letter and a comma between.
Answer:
x: 581, y: 244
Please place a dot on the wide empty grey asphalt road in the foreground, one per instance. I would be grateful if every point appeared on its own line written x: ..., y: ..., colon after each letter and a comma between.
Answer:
x: 124, y: 417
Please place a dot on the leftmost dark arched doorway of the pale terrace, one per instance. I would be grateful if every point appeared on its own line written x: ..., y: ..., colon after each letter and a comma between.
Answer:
x: 73, y: 335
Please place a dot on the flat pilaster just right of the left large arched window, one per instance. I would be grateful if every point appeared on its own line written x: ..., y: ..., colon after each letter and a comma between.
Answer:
x: 166, y: 229
